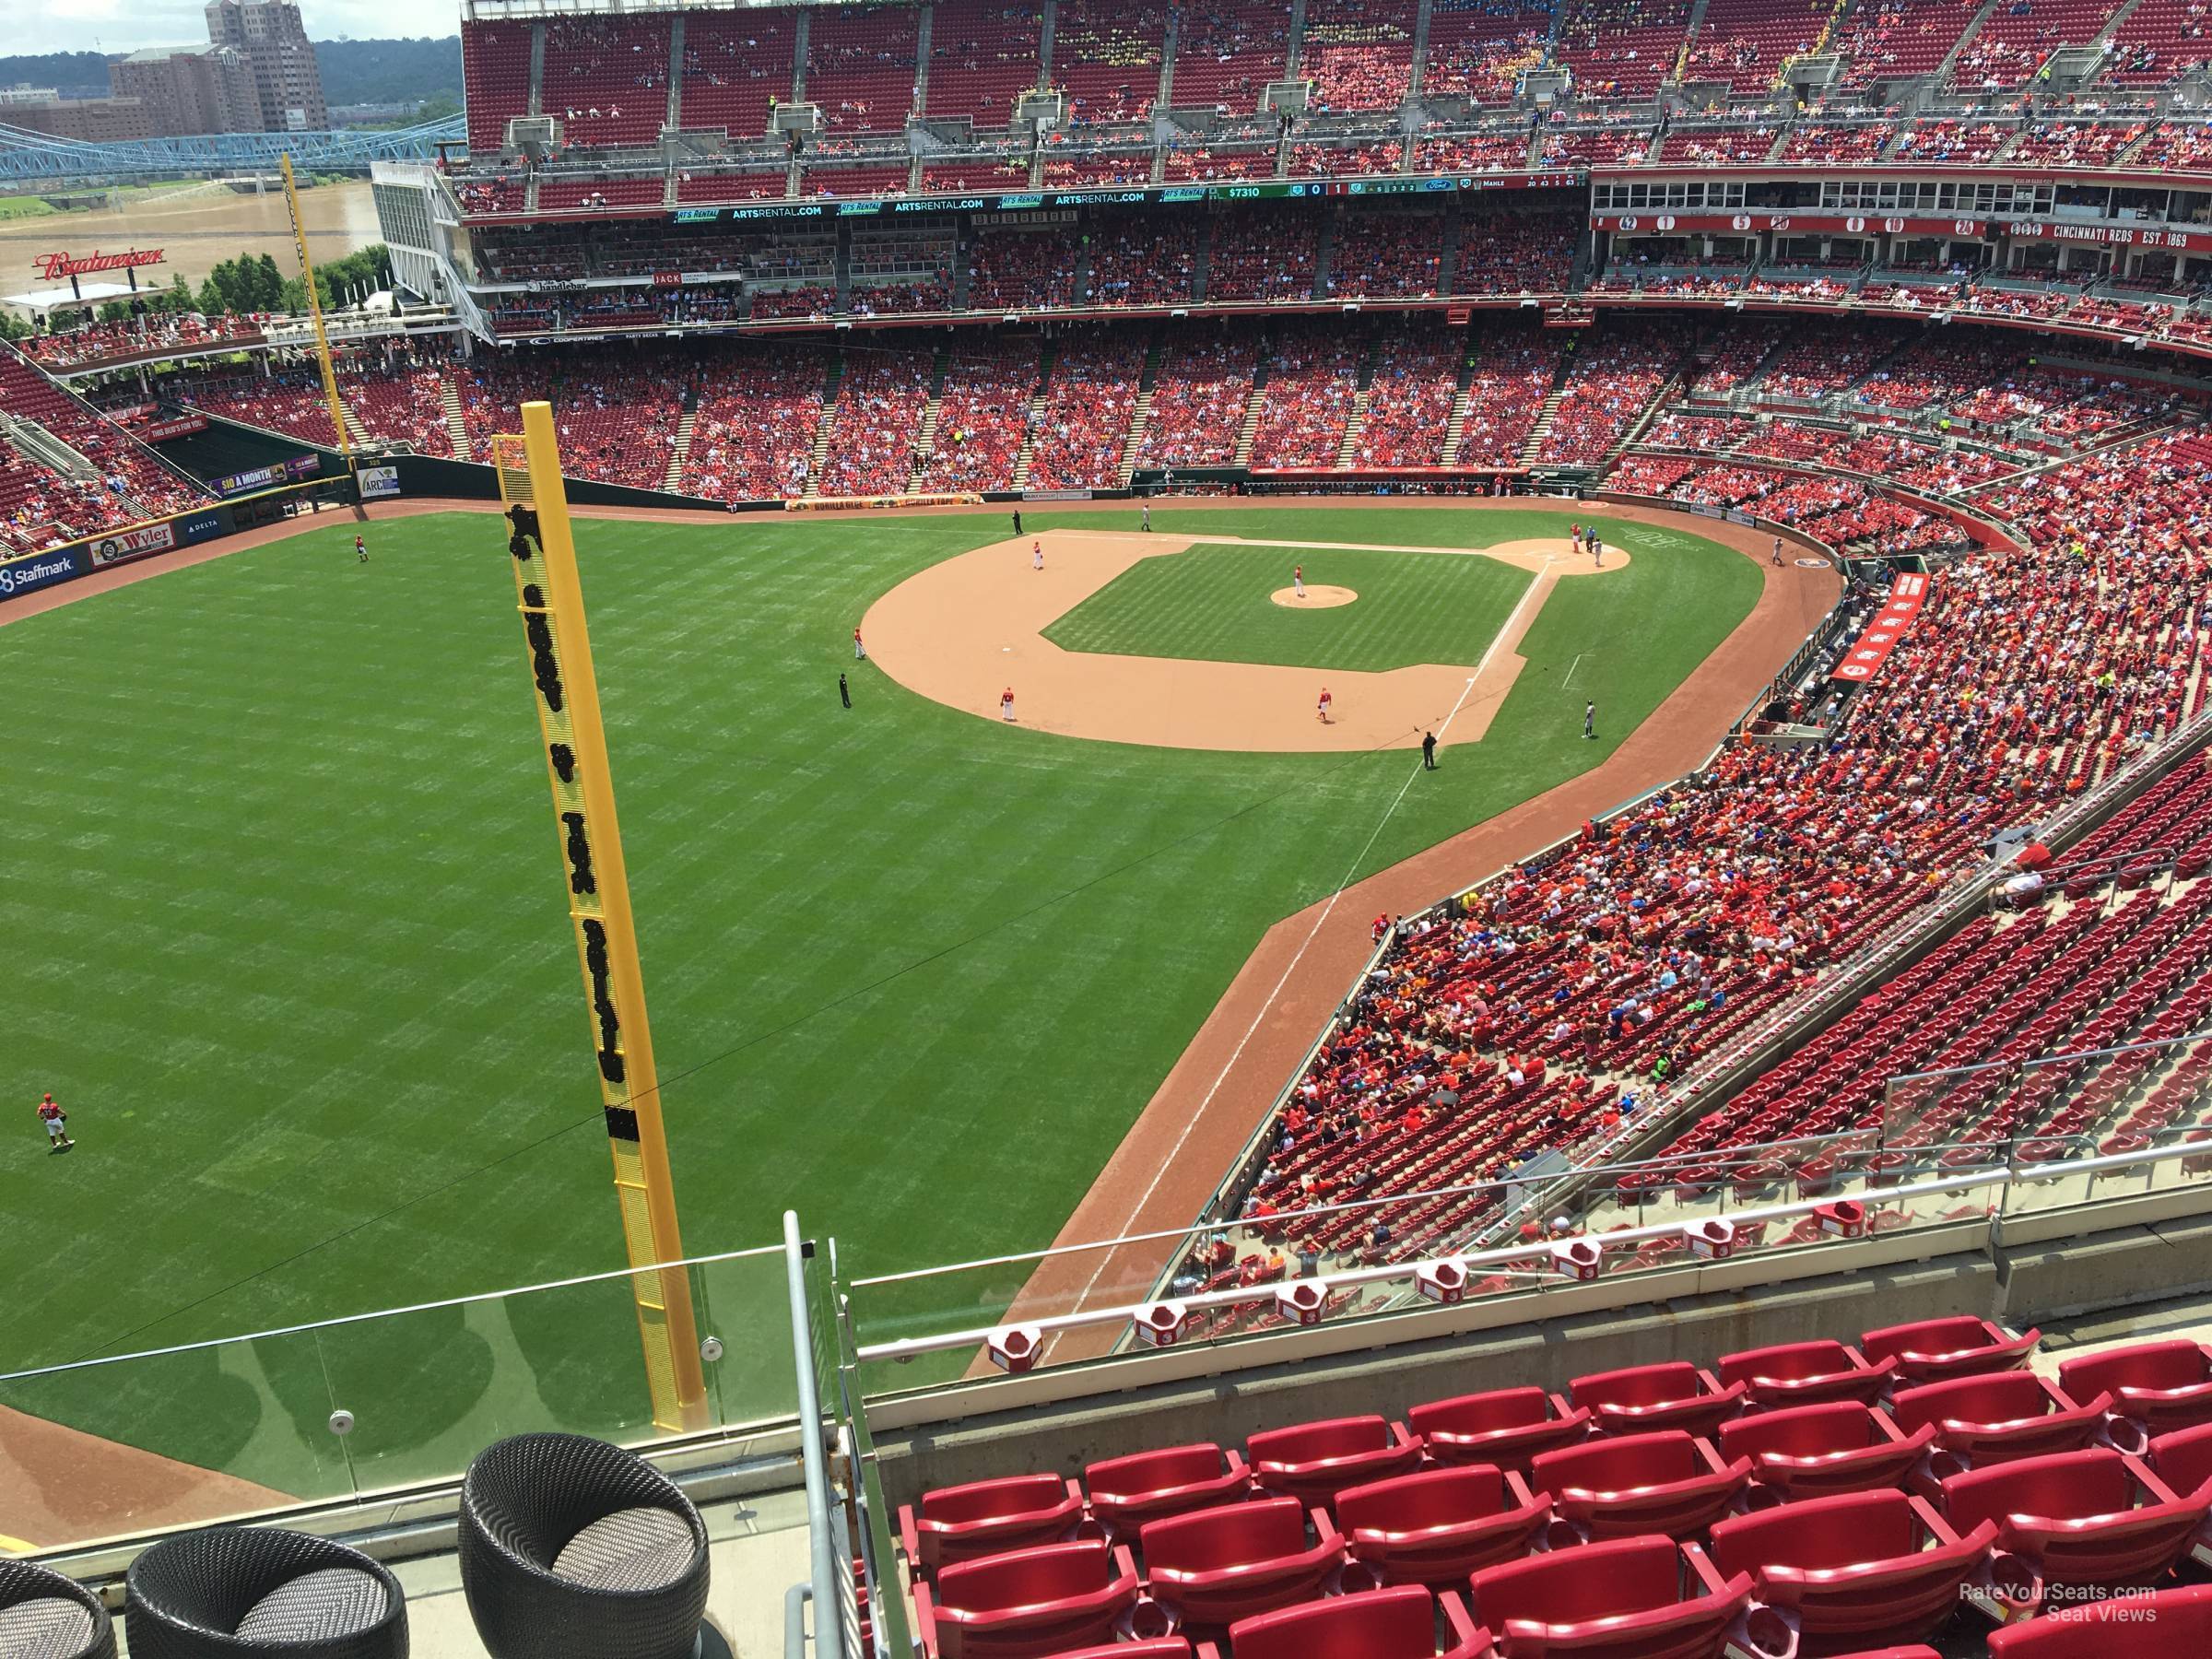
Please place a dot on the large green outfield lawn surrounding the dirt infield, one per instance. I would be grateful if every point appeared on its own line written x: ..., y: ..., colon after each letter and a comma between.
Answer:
x: 286, y: 932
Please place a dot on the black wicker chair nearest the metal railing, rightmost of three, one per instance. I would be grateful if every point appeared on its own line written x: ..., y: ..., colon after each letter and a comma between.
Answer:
x: 576, y: 1550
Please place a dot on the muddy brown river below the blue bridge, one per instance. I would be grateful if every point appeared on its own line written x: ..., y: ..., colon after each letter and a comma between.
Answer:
x: 194, y: 231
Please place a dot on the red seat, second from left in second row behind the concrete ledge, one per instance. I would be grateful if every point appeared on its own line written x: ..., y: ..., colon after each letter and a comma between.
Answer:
x: 1222, y: 1565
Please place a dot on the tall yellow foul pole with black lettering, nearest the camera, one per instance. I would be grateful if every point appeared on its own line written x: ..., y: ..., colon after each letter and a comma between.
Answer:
x: 552, y: 605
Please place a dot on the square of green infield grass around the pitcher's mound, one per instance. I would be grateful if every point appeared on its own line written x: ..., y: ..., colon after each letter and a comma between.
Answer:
x: 1213, y: 605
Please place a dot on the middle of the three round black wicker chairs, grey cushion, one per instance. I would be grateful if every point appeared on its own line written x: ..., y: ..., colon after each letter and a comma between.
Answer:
x: 233, y: 1592
